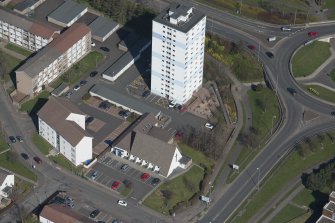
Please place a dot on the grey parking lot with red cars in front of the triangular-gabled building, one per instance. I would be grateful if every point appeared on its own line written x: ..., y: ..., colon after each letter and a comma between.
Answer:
x: 108, y: 170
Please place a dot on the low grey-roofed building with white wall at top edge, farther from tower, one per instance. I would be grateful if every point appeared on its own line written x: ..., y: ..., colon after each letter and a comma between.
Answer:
x: 67, y: 14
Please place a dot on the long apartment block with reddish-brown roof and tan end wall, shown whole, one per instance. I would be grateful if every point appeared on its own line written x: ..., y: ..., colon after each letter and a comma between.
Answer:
x: 54, y: 59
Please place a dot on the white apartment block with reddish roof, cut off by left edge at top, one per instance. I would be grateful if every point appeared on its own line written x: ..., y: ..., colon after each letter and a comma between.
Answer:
x: 24, y: 31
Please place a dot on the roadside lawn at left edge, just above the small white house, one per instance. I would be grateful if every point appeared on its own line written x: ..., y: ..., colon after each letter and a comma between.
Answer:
x: 10, y: 161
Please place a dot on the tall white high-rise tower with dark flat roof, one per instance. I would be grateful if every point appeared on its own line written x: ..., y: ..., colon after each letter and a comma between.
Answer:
x: 178, y: 38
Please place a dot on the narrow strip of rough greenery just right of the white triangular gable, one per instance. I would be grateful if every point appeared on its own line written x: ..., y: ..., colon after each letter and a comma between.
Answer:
x: 197, y: 156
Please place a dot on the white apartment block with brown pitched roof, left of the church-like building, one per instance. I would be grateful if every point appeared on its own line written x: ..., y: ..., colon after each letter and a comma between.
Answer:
x: 62, y: 124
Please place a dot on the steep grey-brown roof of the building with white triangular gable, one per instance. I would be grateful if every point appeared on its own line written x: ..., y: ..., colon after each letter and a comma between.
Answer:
x: 154, y: 151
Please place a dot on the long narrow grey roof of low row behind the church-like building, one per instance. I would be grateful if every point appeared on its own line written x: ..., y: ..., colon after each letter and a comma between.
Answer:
x: 105, y: 91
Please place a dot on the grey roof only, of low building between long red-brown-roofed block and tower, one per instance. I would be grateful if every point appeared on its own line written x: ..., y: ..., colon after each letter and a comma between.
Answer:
x: 101, y: 26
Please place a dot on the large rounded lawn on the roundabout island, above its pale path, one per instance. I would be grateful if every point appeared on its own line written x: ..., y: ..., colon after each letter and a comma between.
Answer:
x: 308, y: 58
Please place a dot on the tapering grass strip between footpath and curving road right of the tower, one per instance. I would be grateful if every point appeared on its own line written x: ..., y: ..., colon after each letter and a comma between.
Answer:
x: 265, y: 111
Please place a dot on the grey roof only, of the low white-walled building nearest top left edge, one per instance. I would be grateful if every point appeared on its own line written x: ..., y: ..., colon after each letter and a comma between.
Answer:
x: 67, y: 11
